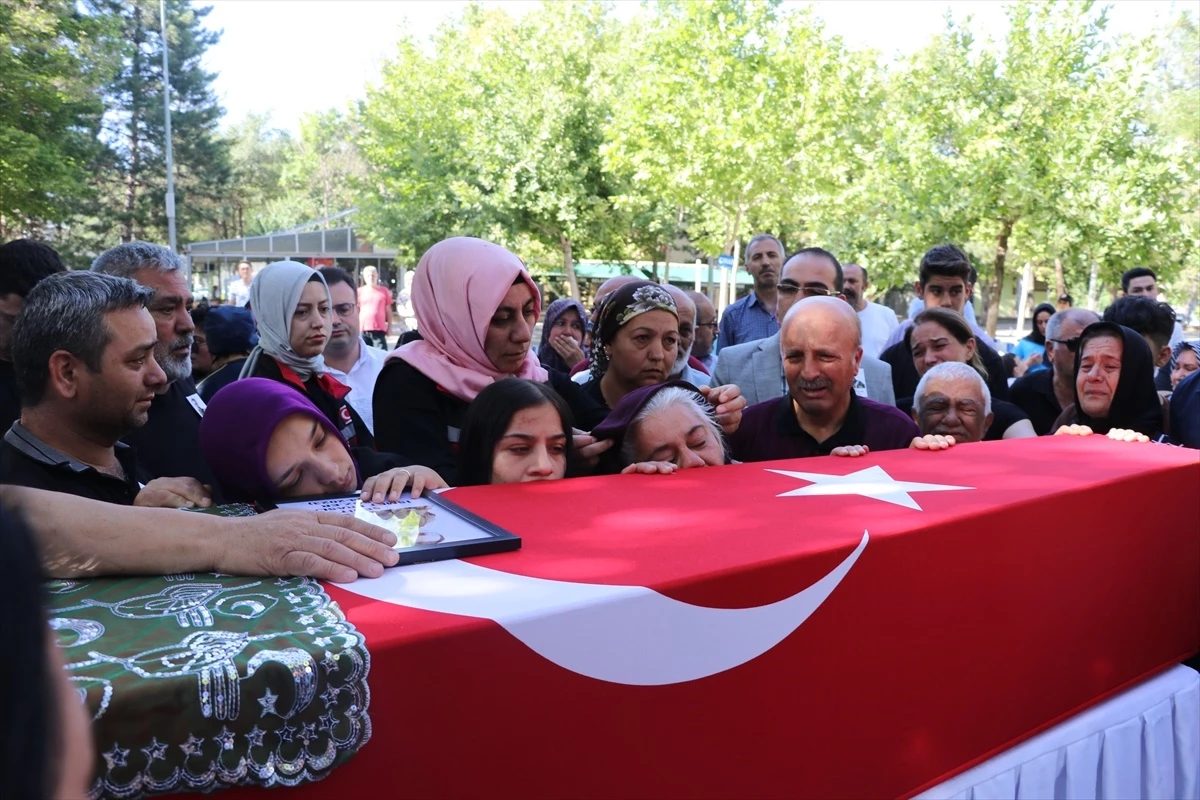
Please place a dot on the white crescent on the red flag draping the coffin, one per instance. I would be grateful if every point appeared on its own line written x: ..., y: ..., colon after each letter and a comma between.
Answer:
x: 622, y: 635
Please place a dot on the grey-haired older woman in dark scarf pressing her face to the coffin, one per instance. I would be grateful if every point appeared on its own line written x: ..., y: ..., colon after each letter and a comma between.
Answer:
x: 663, y: 429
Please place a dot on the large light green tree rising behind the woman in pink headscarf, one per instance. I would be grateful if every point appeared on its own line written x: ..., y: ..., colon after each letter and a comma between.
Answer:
x: 497, y: 134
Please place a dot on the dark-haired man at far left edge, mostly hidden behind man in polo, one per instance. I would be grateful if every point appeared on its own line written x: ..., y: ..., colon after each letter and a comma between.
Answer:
x: 23, y: 263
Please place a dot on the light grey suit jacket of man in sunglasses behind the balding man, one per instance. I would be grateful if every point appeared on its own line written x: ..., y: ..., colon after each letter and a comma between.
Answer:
x: 758, y: 370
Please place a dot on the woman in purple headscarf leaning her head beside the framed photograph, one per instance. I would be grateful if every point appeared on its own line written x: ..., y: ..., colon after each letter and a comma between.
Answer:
x: 267, y: 442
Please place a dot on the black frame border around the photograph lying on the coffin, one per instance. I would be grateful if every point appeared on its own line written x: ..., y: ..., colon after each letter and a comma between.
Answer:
x: 493, y: 539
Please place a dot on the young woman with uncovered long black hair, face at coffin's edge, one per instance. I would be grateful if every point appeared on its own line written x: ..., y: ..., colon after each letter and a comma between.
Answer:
x: 518, y: 431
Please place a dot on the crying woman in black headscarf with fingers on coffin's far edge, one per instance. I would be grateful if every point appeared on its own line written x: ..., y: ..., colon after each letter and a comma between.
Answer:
x: 1114, y: 386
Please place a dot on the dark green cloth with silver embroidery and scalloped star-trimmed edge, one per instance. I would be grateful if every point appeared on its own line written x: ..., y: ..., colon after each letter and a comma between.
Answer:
x: 203, y: 682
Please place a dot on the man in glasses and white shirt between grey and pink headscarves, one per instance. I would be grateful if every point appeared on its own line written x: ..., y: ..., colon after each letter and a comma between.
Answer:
x: 347, y: 357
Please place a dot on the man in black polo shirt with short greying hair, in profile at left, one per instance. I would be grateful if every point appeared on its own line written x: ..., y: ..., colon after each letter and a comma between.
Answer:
x: 83, y: 356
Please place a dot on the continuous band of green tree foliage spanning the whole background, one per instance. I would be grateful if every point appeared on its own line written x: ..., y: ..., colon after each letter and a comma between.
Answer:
x: 567, y: 134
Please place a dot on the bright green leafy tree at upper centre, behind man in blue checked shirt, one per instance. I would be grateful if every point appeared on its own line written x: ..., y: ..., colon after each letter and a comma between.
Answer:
x: 735, y: 111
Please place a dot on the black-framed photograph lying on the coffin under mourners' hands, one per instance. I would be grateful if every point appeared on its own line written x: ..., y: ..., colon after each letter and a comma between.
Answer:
x: 430, y: 528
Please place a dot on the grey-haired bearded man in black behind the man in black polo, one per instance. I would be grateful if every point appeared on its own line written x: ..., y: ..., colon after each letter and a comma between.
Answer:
x: 169, y: 446
